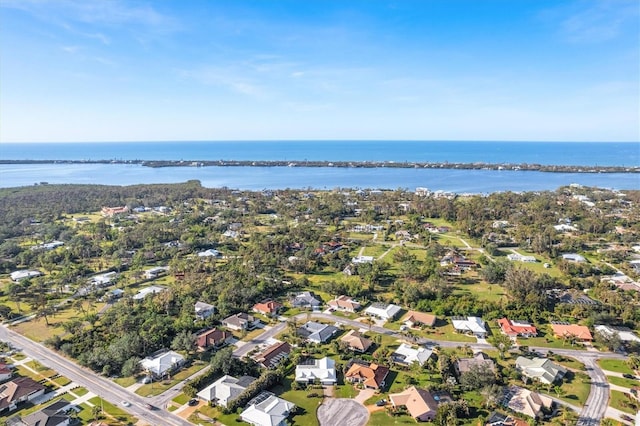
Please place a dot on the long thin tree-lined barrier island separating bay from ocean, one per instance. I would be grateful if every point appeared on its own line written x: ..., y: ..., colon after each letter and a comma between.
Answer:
x: 348, y: 164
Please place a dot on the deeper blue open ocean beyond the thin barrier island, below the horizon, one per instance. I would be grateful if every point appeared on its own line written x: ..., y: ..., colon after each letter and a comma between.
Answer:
x: 558, y: 153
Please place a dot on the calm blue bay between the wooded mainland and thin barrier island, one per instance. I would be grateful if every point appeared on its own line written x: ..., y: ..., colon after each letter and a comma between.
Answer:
x: 258, y: 178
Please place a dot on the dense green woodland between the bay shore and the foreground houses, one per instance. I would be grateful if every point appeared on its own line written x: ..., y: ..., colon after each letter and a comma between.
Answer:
x: 283, y: 246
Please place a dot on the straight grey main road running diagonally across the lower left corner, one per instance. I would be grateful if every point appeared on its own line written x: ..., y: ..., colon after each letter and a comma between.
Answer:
x: 91, y: 381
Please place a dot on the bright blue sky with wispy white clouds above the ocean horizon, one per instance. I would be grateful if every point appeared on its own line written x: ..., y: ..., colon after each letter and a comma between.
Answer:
x: 224, y: 70
